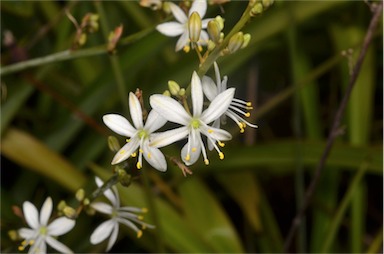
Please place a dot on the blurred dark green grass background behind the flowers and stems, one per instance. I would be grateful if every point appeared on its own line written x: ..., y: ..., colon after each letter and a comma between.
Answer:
x: 53, y: 140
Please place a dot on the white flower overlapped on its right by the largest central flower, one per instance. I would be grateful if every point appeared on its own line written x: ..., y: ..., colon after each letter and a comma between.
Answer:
x: 139, y: 135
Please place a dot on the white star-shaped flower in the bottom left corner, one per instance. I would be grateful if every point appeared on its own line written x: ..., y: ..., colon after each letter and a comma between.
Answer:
x: 41, y: 232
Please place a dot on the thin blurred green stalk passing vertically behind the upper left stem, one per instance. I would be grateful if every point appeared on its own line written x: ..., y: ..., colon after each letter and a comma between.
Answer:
x: 113, y: 58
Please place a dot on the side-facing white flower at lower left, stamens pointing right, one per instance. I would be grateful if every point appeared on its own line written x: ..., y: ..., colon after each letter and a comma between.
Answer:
x: 124, y: 215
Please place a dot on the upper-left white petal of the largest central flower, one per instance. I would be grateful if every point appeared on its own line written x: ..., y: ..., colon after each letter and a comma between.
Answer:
x: 169, y: 108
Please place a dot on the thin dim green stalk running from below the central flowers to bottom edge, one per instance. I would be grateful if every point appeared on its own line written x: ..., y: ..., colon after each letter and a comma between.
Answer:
x: 152, y: 208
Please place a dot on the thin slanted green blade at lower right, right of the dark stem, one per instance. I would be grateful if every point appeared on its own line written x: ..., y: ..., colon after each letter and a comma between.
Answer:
x: 336, y: 221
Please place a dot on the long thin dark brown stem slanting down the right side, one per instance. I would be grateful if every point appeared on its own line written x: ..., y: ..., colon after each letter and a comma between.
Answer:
x: 335, y: 127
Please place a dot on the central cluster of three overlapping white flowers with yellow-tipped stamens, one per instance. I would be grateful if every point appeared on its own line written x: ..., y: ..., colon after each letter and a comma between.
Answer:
x: 200, y: 122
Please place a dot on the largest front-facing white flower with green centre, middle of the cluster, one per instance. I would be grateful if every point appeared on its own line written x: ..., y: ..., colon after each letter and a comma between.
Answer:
x: 193, y: 125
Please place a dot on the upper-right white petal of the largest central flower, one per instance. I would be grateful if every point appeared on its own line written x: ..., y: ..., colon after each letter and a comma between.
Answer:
x: 218, y: 106
